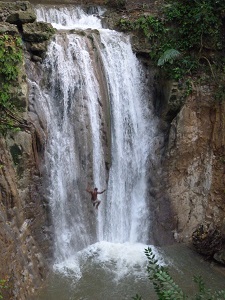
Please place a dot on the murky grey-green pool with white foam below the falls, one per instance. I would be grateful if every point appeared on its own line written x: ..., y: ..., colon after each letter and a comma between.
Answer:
x: 107, y: 271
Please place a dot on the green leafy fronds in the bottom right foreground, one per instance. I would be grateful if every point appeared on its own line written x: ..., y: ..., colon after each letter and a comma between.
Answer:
x: 167, y: 289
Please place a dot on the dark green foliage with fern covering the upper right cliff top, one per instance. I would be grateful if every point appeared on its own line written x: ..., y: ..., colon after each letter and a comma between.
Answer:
x: 185, y: 37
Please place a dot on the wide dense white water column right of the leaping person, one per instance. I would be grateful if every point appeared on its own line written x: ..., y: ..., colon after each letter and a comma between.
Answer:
x: 127, y: 217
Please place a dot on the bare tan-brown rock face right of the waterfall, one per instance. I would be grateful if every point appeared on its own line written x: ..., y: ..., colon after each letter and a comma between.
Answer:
x: 194, y: 164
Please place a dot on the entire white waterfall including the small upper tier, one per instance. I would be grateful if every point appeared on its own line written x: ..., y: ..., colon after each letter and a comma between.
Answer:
x: 87, y: 76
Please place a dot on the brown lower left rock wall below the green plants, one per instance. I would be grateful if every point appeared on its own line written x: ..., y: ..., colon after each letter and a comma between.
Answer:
x: 22, y: 217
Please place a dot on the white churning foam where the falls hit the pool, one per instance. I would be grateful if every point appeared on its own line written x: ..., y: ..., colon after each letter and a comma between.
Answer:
x: 119, y: 259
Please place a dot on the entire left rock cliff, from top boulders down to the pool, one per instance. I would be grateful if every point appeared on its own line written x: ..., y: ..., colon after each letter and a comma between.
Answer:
x: 23, y: 212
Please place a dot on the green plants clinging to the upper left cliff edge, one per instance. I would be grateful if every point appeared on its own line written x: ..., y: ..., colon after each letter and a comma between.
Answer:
x: 10, y: 61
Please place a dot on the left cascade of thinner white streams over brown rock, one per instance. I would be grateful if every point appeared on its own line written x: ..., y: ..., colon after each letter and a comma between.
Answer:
x: 63, y: 154
